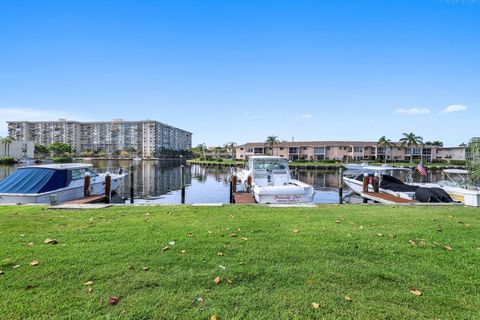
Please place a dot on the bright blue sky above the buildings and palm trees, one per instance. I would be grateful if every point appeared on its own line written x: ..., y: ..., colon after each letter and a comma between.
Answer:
x: 243, y: 70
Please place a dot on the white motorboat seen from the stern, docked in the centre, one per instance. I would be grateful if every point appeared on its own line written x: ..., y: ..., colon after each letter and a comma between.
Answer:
x: 272, y: 182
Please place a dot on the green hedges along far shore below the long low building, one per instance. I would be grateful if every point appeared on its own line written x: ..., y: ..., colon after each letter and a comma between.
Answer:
x: 329, y: 164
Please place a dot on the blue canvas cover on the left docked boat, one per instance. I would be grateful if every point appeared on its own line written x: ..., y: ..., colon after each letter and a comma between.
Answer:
x: 34, y: 180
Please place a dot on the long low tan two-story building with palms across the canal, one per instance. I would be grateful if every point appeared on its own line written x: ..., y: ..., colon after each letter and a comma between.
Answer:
x: 344, y: 151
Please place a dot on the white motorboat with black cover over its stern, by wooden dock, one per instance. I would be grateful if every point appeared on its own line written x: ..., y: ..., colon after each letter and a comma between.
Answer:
x: 397, y: 182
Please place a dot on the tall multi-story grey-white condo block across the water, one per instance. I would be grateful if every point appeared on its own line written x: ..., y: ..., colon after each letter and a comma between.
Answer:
x: 146, y: 137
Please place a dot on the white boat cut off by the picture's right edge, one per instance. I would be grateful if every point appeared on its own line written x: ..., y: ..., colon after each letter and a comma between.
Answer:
x: 458, y: 187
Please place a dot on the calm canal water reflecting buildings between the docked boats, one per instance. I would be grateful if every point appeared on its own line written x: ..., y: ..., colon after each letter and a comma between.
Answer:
x: 158, y: 182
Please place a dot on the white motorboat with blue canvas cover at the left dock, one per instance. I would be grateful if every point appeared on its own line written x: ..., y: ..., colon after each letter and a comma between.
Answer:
x: 35, y: 184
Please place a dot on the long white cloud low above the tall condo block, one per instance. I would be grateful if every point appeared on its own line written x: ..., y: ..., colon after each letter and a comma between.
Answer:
x: 31, y: 114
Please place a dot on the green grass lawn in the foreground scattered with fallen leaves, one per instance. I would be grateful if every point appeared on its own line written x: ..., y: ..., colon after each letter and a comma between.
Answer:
x: 279, y: 261
